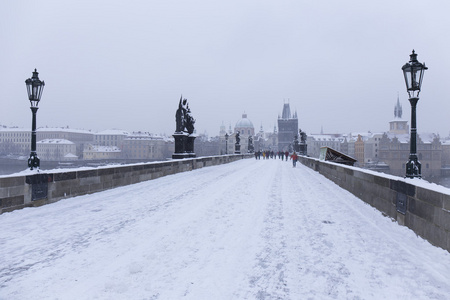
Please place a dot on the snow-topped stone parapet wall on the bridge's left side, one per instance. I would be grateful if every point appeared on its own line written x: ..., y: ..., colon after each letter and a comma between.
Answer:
x: 17, y: 192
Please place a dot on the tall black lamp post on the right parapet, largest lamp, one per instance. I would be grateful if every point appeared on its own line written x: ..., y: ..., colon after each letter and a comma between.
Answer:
x: 413, y: 72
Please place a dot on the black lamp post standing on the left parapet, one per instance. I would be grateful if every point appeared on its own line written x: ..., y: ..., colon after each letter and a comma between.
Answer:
x: 34, y: 89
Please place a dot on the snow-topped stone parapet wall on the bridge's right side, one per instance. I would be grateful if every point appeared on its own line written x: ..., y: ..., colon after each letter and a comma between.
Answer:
x: 421, y: 206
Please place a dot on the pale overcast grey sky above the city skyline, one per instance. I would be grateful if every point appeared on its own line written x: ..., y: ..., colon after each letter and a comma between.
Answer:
x: 124, y: 64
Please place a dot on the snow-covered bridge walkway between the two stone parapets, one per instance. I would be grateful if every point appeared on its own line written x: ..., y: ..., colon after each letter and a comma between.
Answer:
x: 246, y: 230
